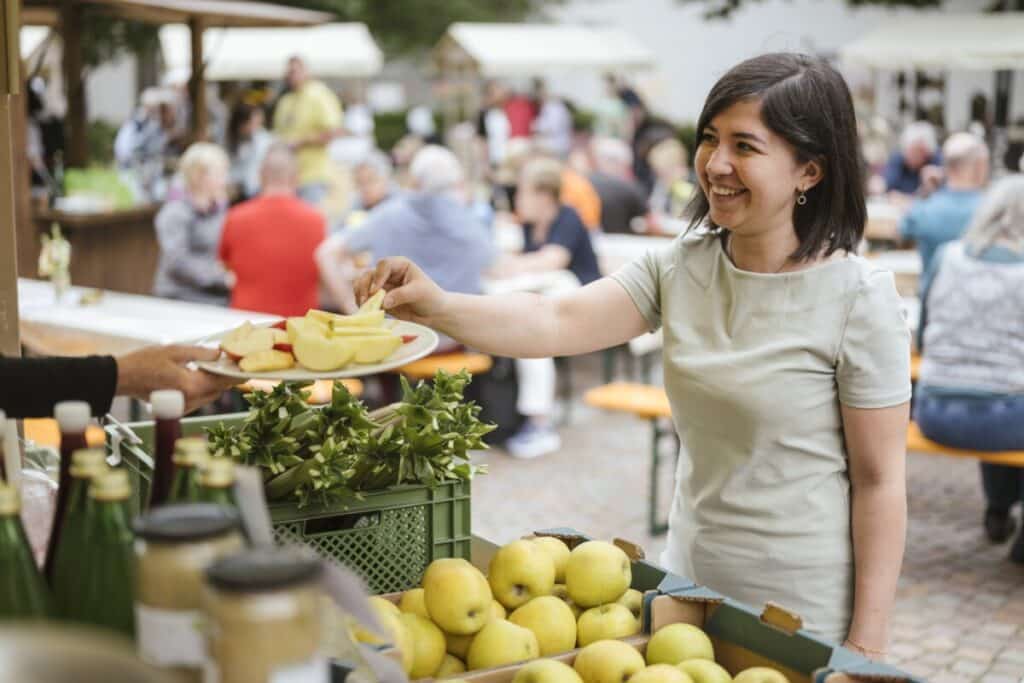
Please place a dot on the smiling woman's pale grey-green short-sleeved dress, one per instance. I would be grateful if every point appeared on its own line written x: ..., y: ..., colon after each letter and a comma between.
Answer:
x: 756, y: 367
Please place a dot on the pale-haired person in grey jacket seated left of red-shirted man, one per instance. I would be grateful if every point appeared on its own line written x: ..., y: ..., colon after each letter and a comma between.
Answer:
x: 189, y: 231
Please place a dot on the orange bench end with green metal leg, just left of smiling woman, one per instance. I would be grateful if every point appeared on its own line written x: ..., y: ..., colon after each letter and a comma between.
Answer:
x: 649, y: 403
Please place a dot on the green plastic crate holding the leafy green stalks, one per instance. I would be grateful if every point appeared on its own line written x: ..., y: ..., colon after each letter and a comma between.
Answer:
x: 389, y: 538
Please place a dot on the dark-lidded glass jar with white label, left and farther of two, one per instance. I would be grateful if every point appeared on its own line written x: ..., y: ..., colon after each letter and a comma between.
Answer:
x: 175, y: 546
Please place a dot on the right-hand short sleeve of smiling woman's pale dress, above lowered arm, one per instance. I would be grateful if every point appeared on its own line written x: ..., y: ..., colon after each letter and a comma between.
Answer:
x: 874, y: 365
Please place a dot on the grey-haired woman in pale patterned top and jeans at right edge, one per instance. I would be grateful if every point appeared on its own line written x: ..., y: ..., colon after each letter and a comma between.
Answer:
x: 971, y: 391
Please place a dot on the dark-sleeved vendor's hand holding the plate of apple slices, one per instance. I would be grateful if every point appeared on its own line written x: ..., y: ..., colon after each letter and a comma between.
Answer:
x: 164, y: 368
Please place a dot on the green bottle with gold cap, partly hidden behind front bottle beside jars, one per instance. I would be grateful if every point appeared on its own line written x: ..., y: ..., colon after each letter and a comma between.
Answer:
x: 87, y: 464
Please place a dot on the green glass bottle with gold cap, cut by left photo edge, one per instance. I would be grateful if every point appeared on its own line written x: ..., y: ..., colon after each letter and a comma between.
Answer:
x: 23, y: 591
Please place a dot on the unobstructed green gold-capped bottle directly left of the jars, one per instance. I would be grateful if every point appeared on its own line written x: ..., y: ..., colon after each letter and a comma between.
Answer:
x: 104, y: 594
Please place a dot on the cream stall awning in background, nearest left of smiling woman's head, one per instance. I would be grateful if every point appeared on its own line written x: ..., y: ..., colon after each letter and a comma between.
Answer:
x: 519, y: 50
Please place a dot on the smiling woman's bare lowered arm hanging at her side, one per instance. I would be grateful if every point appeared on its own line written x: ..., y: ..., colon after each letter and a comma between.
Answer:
x: 876, y: 441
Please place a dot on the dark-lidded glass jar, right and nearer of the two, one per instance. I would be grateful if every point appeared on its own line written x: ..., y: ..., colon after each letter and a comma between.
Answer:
x: 264, y: 612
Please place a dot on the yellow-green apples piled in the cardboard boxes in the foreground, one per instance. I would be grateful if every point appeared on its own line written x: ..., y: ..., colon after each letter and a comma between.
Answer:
x: 541, y: 600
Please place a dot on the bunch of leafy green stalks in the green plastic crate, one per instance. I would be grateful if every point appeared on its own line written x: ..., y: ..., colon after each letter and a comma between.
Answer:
x: 325, y: 455
